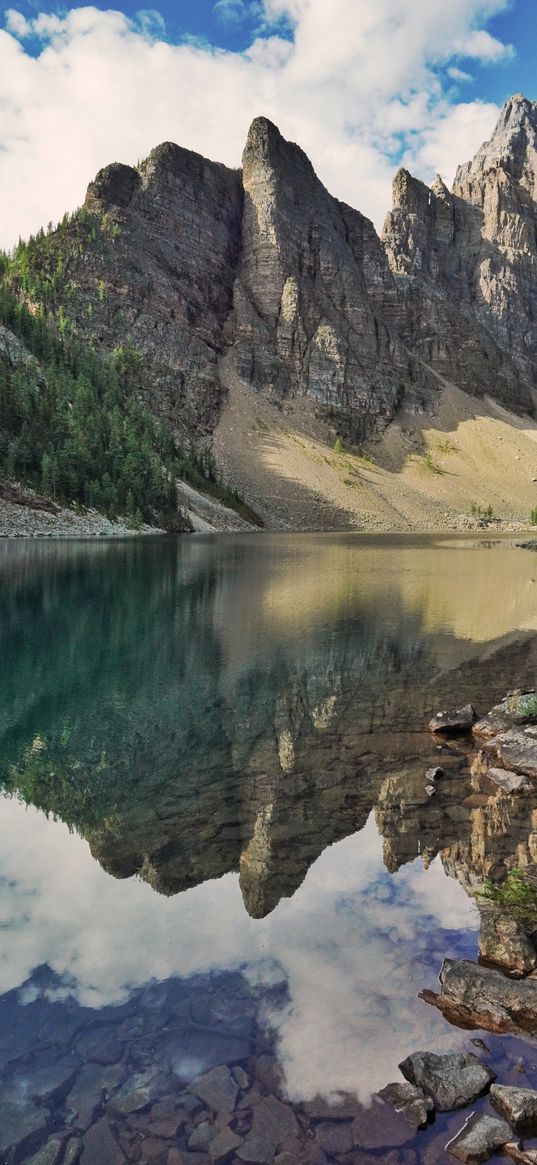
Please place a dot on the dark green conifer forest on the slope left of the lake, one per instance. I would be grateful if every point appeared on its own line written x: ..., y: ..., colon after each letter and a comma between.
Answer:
x: 70, y: 421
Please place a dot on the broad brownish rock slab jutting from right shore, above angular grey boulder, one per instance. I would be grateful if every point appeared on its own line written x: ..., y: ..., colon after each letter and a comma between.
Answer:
x: 475, y: 997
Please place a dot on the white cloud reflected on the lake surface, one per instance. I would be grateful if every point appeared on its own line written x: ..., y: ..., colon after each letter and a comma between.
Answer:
x: 354, y: 945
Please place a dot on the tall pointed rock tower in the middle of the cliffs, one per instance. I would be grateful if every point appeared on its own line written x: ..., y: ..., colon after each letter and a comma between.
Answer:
x: 315, y: 302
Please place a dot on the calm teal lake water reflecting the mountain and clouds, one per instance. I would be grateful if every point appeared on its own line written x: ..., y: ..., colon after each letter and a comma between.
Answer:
x: 215, y: 835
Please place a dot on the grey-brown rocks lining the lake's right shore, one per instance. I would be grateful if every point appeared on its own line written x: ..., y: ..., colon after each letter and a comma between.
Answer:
x: 498, y: 994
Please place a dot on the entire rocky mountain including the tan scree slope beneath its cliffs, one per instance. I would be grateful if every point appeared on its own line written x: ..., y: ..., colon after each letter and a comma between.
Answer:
x: 263, y: 312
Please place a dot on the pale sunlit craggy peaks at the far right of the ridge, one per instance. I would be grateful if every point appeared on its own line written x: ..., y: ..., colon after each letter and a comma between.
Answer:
x: 467, y: 263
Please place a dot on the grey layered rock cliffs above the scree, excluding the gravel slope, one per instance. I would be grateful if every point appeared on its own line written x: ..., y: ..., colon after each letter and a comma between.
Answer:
x: 188, y: 262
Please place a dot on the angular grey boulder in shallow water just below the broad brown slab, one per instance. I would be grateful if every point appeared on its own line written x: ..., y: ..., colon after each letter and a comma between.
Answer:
x: 453, y: 1081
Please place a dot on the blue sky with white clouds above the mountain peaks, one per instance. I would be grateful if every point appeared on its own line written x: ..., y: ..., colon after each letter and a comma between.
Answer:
x: 362, y: 86
